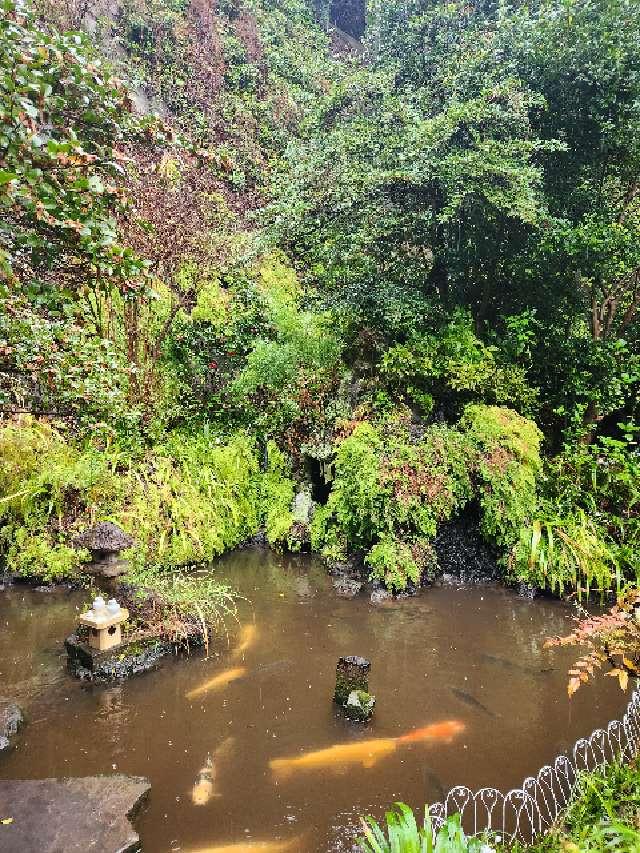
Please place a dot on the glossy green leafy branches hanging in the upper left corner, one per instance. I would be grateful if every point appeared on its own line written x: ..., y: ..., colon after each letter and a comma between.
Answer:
x: 61, y: 119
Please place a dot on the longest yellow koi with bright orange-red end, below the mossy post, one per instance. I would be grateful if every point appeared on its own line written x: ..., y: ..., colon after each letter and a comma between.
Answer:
x: 366, y: 752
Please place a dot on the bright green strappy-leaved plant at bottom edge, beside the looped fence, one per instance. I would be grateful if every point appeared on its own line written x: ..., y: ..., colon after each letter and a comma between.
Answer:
x: 403, y: 835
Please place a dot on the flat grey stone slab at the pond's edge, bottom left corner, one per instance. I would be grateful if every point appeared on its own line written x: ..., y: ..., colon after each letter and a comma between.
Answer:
x: 71, y: 815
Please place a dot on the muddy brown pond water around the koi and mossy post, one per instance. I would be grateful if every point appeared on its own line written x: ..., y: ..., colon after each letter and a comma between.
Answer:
x: 474, y: 655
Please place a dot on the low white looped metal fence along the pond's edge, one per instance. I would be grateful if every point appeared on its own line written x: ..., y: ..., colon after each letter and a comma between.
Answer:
x: 526, y: 812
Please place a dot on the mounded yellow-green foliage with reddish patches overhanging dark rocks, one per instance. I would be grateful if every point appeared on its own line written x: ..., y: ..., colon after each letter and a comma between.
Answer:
x: 389, y: 497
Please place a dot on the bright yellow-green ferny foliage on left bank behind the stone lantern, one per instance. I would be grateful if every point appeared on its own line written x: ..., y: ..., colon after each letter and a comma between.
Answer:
x: 184, y: 502
